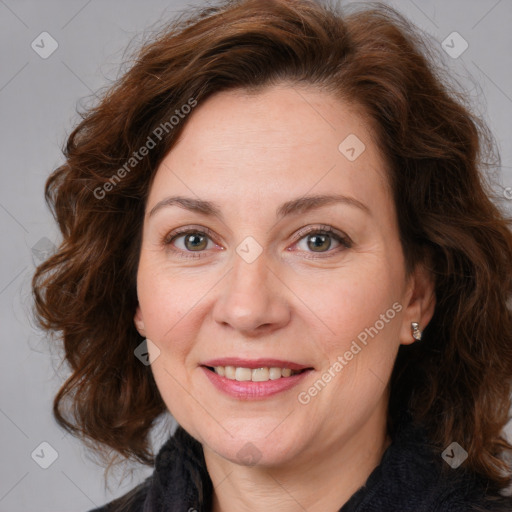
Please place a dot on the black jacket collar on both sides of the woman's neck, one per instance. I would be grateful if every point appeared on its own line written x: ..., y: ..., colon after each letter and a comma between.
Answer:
x: 411, y: 477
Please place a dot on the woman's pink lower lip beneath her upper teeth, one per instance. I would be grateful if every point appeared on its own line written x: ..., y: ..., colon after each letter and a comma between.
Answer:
x: 249, y: 390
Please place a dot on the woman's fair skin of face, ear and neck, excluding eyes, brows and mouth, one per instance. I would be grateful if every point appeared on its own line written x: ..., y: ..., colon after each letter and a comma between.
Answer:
x: 250, y: 153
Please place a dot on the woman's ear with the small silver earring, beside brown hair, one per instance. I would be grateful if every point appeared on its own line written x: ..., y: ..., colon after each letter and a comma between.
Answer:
x: 420, y: 303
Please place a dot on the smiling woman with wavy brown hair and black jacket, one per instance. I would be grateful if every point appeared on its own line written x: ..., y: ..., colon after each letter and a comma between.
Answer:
x: 276, y: 228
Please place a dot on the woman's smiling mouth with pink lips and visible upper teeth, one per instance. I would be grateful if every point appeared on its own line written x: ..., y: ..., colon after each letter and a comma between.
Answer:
x: 253, y: 379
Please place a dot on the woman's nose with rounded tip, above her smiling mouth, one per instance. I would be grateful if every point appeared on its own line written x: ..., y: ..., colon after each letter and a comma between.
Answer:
x: 253, y: 298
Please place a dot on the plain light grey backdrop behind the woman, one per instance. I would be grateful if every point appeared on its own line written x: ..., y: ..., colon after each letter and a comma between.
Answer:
x: 38, y: 99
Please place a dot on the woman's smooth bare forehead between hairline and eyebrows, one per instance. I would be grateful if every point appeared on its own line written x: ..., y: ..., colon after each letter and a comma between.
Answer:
x: 270, y: 146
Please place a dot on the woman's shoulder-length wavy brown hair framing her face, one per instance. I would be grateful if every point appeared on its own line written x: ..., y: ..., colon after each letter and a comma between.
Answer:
x: 457, y: 380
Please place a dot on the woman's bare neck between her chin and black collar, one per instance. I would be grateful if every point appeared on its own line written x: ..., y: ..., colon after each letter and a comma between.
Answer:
x: 337, y: 473
